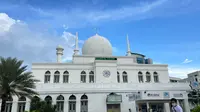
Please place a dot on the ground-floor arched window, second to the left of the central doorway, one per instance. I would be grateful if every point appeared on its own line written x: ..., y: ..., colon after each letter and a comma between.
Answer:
x: 72, y: 103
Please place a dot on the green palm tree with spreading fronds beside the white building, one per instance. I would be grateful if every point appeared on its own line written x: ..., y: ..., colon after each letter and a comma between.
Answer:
x: 15, y: 80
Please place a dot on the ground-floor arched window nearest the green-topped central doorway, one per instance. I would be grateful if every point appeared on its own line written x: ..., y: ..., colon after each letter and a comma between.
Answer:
x: 84, y: 103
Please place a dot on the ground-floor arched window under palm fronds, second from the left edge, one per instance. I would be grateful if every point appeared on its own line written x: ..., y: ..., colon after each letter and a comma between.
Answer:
x: 21, y: 104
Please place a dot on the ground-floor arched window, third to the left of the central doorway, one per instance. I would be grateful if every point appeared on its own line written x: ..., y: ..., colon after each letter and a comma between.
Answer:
x: 60, y: 103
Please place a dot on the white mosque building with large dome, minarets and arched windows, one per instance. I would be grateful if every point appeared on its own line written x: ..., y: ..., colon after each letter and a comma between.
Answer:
x: 97, y: 81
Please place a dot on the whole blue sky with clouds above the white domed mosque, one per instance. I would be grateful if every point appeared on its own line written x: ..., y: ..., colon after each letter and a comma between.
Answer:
x: 165, y: 30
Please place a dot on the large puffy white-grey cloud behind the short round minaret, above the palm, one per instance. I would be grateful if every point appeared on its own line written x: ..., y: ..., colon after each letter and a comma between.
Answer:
x: 19, y: 40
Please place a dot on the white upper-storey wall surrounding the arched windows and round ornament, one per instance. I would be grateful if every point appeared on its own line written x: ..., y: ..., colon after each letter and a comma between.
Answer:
x: 98, y: 67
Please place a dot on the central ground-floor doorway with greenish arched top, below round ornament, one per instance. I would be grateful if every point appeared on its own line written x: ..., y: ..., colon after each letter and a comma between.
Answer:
x: 113, y: 102
